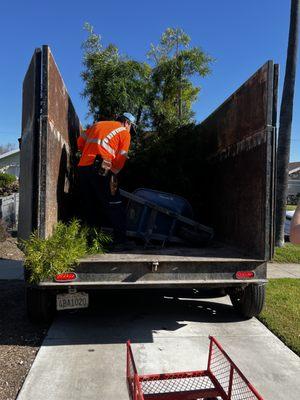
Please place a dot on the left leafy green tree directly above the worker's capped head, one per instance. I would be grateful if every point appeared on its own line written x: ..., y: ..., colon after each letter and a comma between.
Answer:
x: 114, y: 83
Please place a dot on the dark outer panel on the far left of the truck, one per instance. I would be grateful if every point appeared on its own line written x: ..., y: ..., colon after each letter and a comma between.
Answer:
x: 29, y: 147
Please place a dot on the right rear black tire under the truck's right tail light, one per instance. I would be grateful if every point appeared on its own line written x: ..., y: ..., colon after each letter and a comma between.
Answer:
x: 248, y: 301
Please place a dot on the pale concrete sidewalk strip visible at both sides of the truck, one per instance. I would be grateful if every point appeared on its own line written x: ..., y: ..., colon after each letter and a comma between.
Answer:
x: 13, y: 269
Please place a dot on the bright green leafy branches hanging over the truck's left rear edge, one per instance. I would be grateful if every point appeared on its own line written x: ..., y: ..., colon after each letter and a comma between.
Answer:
x: 45, y: 258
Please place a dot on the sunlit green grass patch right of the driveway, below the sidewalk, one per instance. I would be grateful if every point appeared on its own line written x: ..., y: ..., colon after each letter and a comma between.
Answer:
x: 282, y: 311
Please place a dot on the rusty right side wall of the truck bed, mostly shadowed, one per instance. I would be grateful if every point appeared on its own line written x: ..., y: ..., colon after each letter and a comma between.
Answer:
x: 238, y: 140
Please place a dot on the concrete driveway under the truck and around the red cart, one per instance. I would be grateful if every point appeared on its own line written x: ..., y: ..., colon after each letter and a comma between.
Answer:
x: 83, y: 356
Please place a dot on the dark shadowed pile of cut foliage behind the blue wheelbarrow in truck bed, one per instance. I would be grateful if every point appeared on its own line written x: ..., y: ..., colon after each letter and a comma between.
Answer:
x: 170, y: 163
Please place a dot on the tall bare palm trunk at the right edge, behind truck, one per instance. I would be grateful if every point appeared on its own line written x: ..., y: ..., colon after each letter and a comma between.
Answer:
x: 285, y: 123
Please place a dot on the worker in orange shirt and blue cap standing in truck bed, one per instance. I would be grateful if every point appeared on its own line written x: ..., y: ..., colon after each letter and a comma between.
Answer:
x: 104, y: 149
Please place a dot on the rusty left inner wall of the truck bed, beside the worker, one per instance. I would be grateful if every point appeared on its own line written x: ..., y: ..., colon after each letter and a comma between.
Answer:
x: 60, y: 128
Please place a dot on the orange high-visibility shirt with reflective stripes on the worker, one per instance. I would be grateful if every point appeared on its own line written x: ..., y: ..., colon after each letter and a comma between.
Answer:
x: 109, y: 139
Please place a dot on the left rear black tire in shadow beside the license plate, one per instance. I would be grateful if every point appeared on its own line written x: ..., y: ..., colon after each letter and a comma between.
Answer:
x: 40, y: 305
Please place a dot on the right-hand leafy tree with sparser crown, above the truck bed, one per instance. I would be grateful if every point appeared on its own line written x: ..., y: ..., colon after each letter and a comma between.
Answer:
x: 173, y: 92
